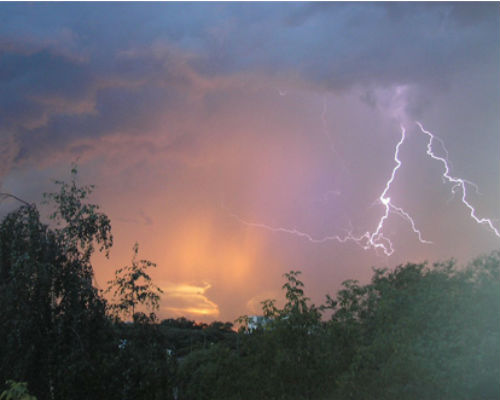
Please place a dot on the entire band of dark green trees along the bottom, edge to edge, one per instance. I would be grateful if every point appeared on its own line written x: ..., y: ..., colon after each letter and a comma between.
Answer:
x: 415, y: 332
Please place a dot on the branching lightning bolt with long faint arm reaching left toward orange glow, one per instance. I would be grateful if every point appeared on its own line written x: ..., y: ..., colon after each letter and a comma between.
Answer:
x: 368, y: 240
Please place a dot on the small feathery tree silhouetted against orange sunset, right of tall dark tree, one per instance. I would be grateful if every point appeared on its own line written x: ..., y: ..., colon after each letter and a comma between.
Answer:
x: 133, y: 287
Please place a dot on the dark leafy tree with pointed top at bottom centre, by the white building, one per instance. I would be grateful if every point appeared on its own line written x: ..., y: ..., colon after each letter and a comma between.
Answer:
x: 284, y: 359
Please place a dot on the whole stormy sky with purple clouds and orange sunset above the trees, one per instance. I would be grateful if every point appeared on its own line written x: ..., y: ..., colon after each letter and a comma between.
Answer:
x: 238, y: 141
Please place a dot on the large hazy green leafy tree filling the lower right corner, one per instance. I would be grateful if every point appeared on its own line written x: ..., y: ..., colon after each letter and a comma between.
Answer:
x: 422, y: 332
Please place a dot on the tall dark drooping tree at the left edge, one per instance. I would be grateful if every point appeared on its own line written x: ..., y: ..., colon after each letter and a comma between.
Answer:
x: 54, y: 330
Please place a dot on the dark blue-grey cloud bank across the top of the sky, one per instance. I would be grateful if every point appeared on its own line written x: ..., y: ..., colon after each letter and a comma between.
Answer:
x: 73, y: 72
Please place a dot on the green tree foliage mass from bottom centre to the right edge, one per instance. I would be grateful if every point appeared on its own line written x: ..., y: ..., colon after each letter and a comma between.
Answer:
x: 415, y: 332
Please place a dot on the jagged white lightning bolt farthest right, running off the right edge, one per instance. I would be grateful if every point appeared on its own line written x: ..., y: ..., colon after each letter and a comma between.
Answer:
x: 458, y: 183
